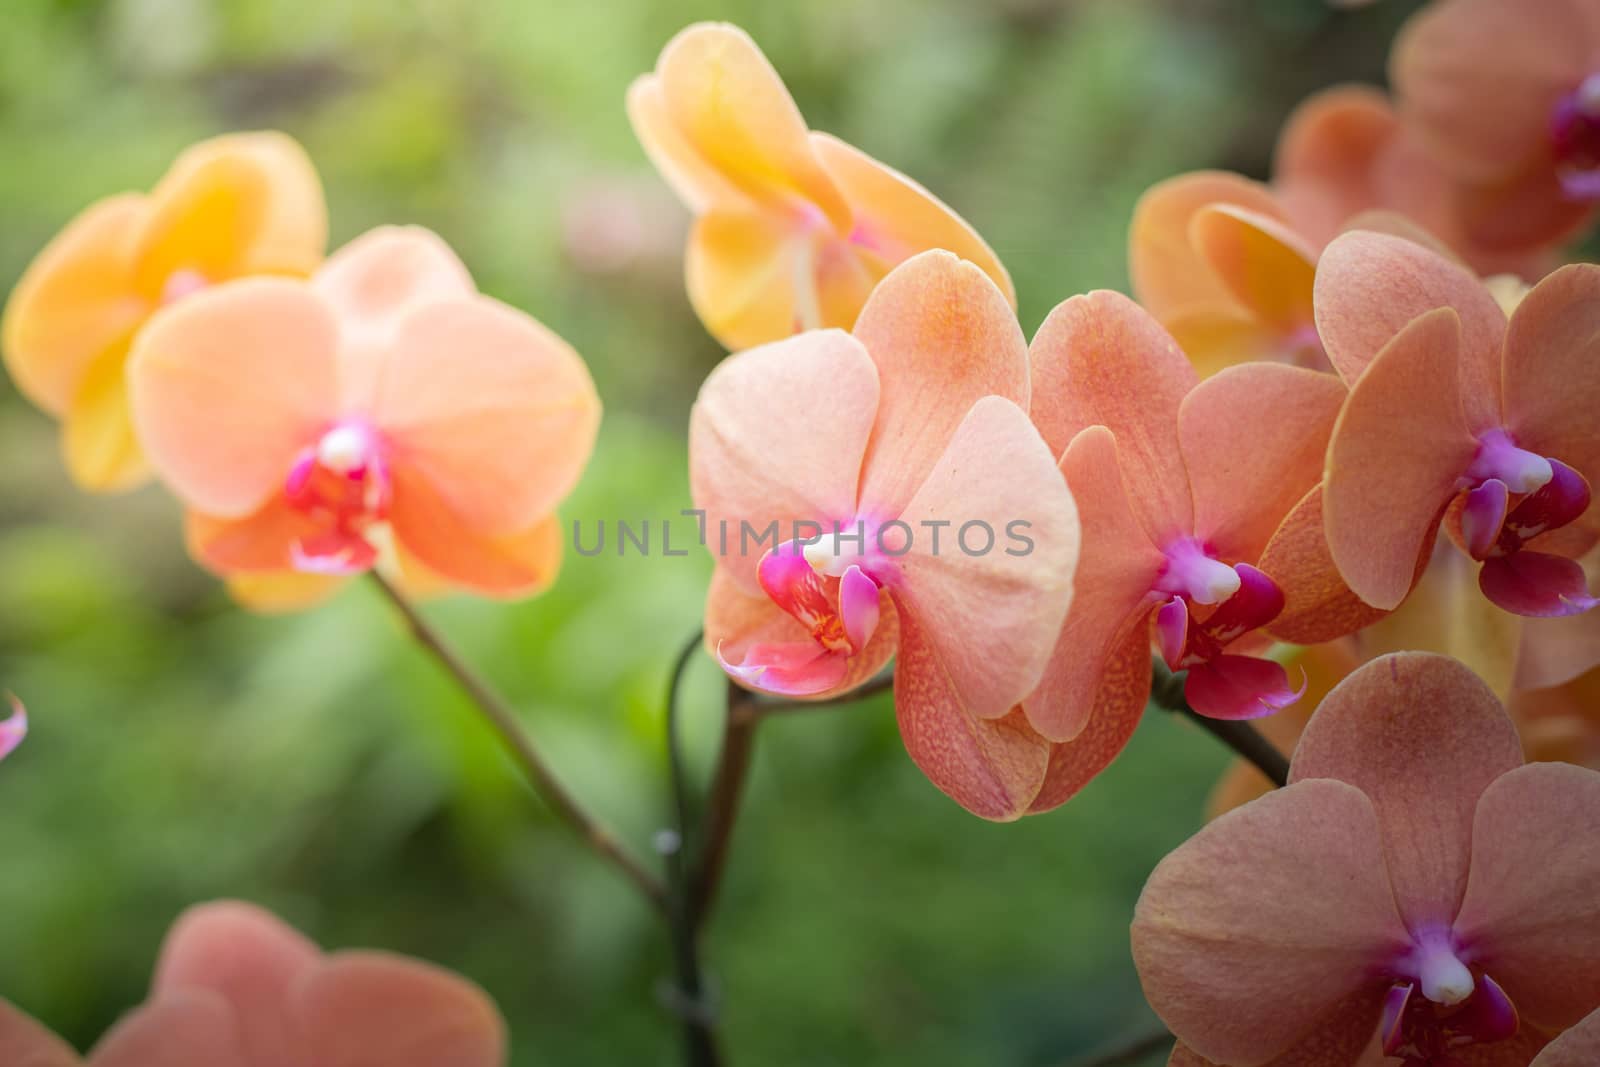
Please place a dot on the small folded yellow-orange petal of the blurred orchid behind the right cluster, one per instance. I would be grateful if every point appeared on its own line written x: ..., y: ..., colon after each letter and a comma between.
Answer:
x: 1263, y: 263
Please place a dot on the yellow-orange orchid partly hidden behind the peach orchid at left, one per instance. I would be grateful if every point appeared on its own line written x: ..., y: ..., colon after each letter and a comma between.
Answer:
x: 233, y: 207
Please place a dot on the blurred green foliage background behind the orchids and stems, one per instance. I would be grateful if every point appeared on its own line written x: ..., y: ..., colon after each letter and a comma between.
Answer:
x: 185, y: 749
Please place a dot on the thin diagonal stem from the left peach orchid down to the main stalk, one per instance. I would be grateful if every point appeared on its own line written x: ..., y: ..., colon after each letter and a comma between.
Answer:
x: 503, y: 721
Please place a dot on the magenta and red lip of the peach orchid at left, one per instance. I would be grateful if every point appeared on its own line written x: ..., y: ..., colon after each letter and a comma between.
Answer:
x: 342, y: 487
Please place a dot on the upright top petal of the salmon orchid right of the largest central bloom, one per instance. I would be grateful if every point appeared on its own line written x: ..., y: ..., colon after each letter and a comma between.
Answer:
x: 1102, y: 361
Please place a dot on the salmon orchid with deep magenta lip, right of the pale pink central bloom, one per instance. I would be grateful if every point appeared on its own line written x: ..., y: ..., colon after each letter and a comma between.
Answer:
x: 1183, y: 489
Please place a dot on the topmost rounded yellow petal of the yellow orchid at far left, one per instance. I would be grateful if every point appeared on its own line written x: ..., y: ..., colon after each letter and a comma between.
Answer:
x: 236, y: 206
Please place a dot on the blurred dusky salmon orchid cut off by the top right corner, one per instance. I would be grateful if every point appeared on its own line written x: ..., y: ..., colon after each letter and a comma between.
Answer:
x: 1506, y: 97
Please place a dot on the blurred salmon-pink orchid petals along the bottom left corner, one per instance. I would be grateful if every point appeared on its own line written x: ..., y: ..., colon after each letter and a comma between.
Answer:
x: 236, y: 988
